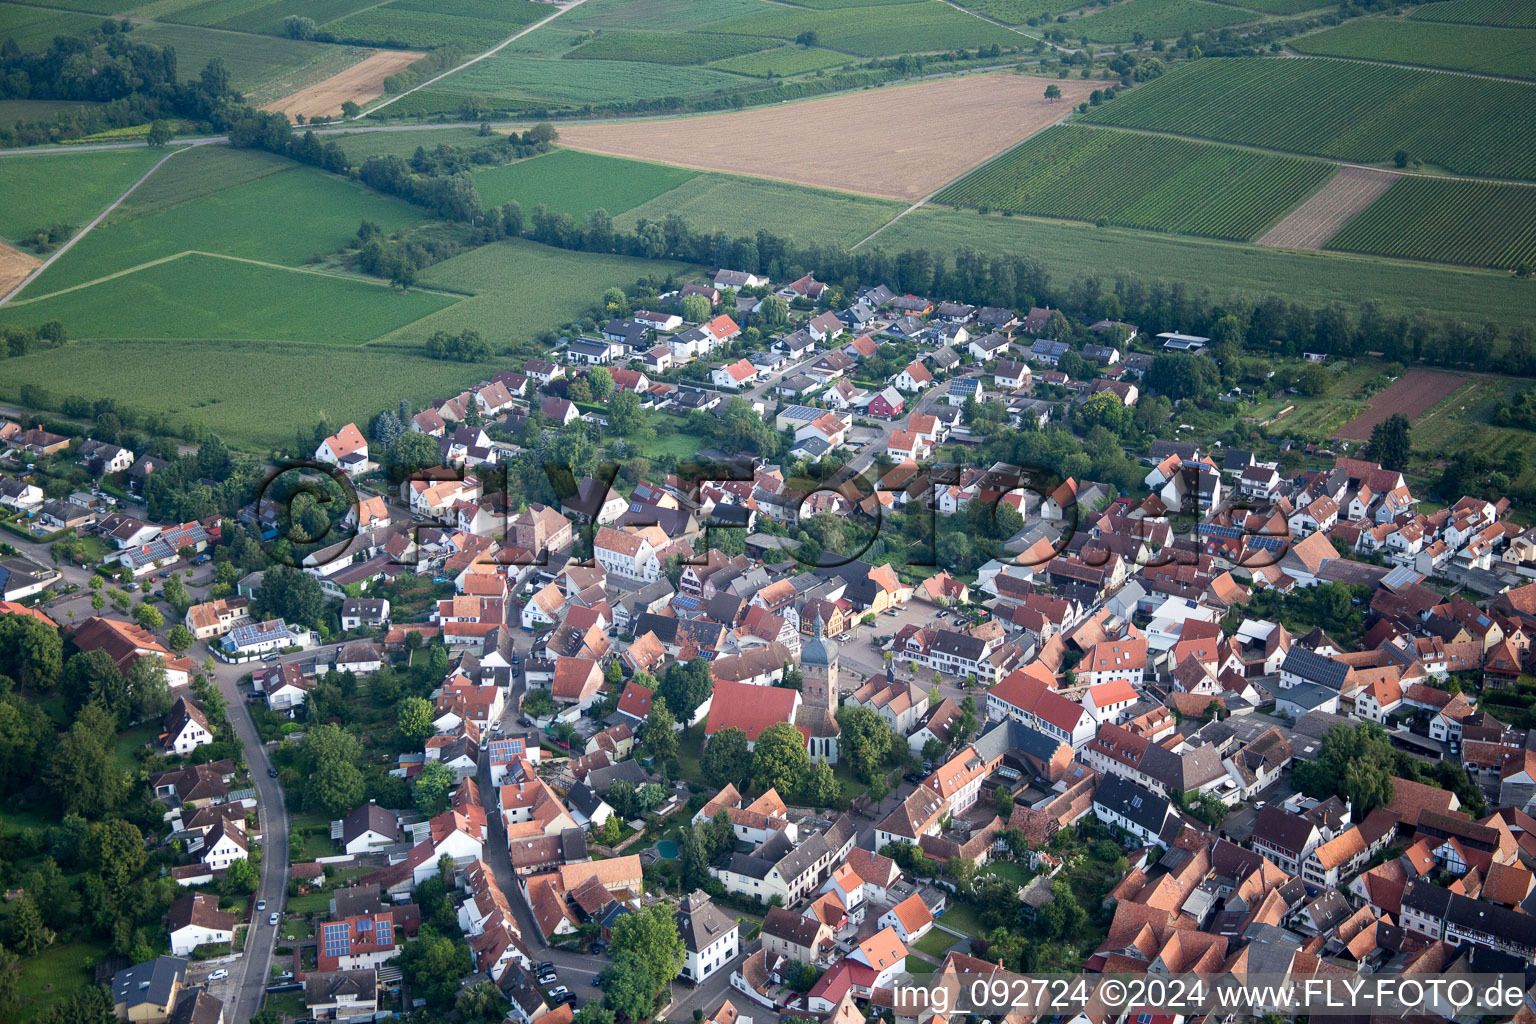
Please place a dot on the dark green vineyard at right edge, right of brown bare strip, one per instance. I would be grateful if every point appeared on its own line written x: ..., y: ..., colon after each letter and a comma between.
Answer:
x: 1474, y: 223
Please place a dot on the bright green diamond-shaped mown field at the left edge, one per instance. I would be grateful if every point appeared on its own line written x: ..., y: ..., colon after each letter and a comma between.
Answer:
x: 210, y: 300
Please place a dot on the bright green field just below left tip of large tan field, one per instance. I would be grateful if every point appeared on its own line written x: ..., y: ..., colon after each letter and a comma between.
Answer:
x: 571, y: 182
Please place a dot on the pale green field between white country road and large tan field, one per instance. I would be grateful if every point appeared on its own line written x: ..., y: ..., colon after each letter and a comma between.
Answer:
x: 517, y: 82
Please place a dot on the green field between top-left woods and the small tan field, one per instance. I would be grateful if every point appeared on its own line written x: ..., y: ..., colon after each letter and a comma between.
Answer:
x: 253, y: 61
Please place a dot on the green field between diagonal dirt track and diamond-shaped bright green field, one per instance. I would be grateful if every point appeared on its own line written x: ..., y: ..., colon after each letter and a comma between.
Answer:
x: 290, y: 217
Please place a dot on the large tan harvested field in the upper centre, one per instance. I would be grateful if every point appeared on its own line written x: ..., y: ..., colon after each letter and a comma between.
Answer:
x: 899, y: 142
